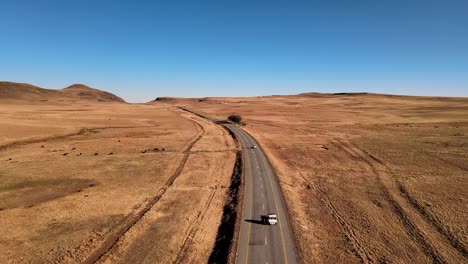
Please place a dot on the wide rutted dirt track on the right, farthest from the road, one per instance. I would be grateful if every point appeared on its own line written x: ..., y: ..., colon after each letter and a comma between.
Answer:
x: 434, y: 240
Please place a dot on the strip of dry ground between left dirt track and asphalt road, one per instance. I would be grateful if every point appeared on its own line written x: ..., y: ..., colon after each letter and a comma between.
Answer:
x: 194, y: 237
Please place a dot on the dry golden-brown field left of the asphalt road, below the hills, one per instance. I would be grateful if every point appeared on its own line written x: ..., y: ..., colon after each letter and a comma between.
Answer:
x: 82, y: 181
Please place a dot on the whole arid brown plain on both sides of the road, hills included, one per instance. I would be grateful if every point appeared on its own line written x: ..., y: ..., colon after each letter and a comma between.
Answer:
x: 86, y: 177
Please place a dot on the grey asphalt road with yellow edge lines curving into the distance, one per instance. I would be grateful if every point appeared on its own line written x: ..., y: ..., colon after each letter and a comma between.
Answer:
x: 260, y: 243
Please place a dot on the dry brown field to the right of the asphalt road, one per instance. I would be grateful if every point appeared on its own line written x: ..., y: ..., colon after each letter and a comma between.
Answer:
x: 367, y: 178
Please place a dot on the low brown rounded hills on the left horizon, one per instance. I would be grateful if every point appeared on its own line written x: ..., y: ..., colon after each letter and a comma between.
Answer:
x: 28, y: 92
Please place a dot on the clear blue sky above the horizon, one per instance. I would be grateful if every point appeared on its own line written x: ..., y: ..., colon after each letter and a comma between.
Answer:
x: 144, y: 49
